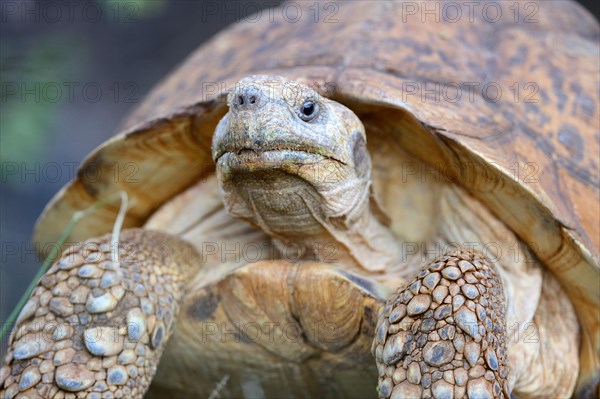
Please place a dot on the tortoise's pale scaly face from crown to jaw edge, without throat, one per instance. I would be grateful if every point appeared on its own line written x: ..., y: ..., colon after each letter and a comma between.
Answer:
x: 274, y: 124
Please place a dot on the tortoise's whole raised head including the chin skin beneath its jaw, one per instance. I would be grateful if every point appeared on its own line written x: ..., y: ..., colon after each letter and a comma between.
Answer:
x: 288, y: 158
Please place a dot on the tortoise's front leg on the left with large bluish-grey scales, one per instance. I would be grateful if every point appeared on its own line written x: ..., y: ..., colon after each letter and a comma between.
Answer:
x: 94, y: 328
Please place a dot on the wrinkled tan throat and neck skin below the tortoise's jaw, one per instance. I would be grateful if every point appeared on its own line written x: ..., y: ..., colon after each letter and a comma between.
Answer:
x: 332, y: 225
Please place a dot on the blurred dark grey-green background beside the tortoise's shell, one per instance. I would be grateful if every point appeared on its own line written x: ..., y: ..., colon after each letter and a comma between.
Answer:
x: 121, y: 48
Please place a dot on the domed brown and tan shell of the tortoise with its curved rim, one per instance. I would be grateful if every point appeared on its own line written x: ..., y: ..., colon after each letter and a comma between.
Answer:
x: 368, y: 54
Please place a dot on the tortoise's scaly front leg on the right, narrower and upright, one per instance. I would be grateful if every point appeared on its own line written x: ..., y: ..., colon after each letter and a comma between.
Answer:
x: 444, y: 335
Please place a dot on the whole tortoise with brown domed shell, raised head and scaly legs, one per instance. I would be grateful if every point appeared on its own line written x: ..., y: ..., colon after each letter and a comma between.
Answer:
x: 308, y: 223
